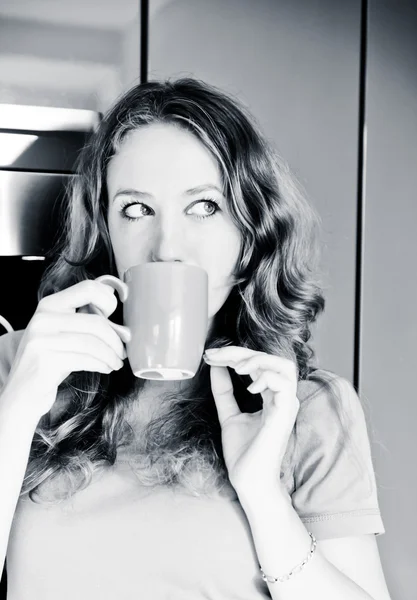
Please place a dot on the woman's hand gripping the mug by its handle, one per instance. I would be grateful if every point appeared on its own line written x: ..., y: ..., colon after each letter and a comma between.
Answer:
x: 58, y: 340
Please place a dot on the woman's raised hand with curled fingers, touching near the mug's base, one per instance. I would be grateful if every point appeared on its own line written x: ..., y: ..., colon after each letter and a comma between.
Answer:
x: 254, y: 444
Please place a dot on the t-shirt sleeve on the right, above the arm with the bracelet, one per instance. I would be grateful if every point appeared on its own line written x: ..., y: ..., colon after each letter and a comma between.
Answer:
x: 334, y: 492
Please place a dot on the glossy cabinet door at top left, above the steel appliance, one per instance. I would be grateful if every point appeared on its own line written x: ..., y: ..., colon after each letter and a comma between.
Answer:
x: 68, y: 54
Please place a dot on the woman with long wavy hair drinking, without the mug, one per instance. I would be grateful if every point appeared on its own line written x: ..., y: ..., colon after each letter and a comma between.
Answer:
x: 206, y: 488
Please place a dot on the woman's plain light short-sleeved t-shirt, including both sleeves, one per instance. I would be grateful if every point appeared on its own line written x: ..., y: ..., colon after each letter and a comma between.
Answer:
x: 118, y: 539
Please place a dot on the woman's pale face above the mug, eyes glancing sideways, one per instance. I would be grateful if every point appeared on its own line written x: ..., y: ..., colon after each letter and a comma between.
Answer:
x: 162, y: 187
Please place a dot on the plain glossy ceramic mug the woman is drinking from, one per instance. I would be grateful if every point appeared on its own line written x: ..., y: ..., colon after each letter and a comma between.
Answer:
x: 165, y: 306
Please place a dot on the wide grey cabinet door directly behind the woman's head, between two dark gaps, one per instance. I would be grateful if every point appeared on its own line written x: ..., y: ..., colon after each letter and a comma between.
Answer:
x: 296, y: 65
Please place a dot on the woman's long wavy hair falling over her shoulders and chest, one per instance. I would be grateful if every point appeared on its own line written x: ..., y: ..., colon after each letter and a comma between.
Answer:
x: 271, y: 307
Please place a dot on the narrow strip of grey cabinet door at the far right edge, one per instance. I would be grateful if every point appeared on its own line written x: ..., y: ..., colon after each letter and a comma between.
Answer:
x: 389, y: 323
